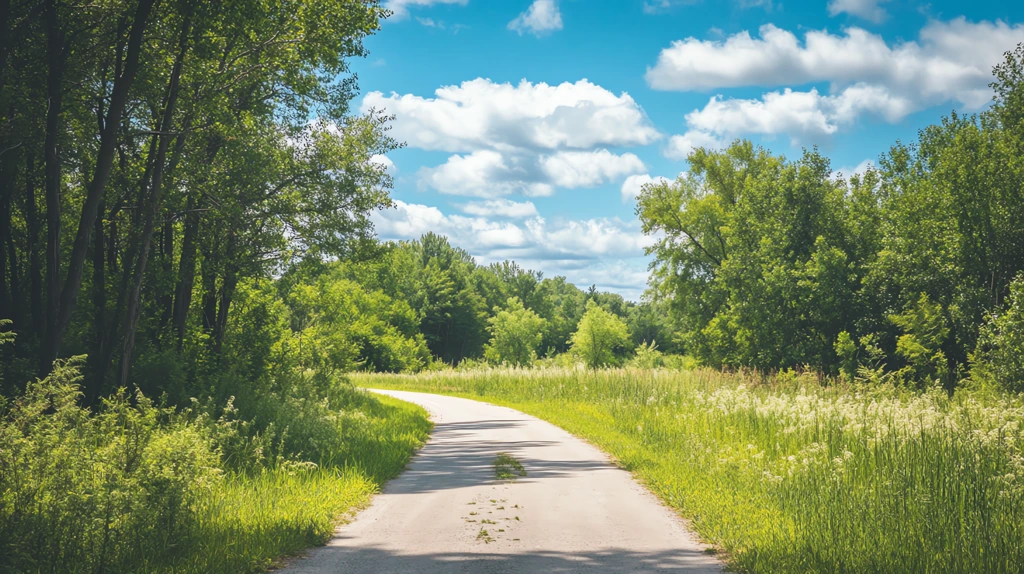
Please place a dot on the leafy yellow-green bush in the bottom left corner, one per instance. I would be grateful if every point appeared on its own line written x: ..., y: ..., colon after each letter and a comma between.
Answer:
x: 91, y: 494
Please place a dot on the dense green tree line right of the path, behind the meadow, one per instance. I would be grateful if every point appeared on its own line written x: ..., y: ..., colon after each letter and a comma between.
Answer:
x: 911, y: 272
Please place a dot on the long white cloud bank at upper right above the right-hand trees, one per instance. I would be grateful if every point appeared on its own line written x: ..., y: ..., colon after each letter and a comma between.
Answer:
x: 868, y: 78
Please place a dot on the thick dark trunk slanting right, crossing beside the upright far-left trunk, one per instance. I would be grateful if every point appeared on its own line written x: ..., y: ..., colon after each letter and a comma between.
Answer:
x: 102, y: 174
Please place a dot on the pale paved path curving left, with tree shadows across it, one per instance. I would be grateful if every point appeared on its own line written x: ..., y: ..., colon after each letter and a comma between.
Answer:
x: 574, y: 512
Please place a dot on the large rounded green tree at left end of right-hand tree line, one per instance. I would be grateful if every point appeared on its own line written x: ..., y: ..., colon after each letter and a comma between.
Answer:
x: 754, y: 257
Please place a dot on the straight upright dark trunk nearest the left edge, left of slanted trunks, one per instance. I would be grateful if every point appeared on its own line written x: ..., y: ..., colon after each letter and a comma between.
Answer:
x: 56, y: 57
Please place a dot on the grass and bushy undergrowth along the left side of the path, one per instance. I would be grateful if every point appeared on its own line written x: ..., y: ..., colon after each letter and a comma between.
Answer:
x: 137, y: 488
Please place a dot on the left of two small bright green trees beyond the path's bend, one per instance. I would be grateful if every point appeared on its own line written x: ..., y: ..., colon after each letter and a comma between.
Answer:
x: 516, y: 335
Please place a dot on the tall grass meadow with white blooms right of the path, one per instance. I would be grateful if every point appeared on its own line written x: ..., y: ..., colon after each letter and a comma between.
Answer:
x: 790, y: 475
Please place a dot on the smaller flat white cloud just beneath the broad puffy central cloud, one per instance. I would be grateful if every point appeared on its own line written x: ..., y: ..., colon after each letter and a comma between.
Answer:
x: 492, y: 174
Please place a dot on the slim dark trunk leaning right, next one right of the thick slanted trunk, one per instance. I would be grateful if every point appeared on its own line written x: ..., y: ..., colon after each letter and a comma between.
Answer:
x: 153, y: 205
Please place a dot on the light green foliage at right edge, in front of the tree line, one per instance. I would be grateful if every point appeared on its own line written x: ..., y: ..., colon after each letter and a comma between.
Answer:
x: 999, y: 361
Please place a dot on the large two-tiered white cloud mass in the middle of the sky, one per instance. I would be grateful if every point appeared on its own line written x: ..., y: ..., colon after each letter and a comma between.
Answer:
x: 528, y: 139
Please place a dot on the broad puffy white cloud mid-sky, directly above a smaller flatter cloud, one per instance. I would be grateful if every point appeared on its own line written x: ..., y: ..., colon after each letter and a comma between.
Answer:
x: 481, y: 114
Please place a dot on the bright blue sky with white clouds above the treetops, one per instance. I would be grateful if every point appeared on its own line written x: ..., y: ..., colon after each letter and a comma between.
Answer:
x: 530, y: 124
